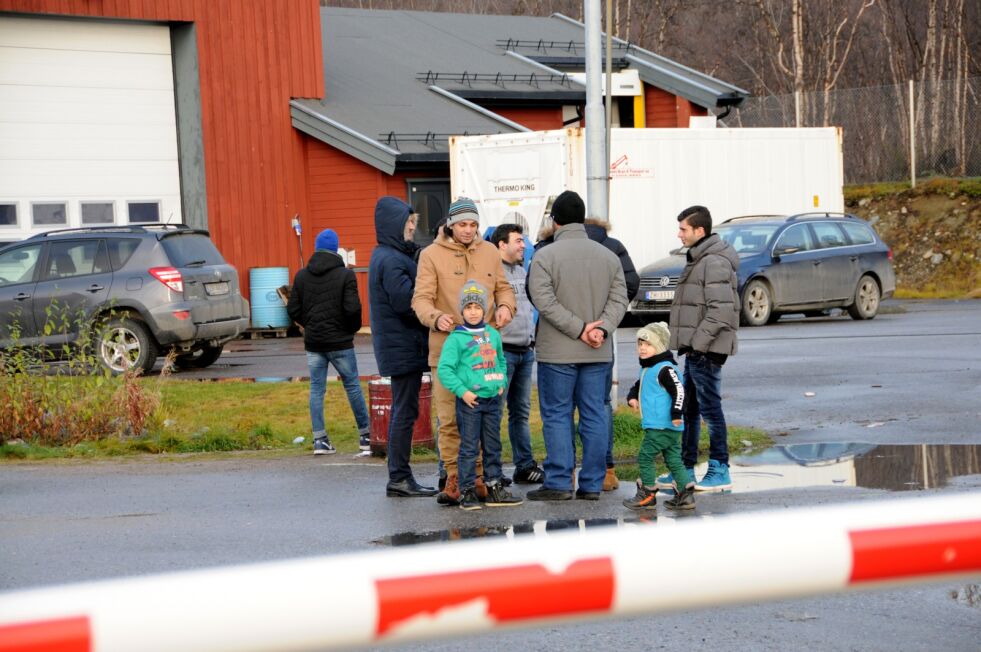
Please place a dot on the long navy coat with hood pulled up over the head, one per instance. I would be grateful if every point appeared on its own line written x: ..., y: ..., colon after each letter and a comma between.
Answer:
x: 401, y: 342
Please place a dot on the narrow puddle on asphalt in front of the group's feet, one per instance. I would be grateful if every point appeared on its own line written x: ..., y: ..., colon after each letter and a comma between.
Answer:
x: 531, y: 528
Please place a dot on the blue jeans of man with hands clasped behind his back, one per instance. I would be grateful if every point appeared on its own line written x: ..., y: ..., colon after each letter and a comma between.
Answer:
x: 561, y: 389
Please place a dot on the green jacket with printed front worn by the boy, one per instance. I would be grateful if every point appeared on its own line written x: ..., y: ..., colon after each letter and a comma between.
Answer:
x: 473, y: 360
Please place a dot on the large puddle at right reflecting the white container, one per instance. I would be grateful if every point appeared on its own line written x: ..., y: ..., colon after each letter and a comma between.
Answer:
x: 893, y: 467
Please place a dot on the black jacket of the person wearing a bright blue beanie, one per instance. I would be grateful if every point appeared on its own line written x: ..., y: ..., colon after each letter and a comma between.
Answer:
x: 324, y: 301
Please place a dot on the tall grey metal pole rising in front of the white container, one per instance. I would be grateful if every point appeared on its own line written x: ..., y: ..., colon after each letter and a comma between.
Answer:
x: 597, y: 162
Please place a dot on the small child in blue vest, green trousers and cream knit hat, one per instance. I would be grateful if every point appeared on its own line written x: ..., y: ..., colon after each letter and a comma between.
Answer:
x: 659, y: 395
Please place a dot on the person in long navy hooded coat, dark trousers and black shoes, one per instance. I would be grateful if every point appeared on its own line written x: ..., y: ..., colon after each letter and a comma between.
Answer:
x: 401, y: 342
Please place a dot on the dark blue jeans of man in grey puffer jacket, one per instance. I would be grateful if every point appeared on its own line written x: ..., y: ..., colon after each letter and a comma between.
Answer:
x: 703, y: 400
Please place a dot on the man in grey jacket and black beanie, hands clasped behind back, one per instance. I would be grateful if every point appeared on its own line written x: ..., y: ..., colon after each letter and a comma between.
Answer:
x: 578, y: 287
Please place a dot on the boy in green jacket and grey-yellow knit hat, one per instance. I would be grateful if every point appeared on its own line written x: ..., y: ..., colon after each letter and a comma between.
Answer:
x: 473, y: 367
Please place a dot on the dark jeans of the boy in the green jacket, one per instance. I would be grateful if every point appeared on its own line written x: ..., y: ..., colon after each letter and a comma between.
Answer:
x: 480, y: 429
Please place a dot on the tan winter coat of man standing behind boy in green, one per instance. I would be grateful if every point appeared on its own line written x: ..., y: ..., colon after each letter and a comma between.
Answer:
x: 444, y: 267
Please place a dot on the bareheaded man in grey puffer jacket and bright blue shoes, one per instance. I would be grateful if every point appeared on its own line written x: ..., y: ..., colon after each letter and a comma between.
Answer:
x: 703, y: 323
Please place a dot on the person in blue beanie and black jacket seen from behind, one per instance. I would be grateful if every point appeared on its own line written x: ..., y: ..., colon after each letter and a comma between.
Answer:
x: 324, y: 301
